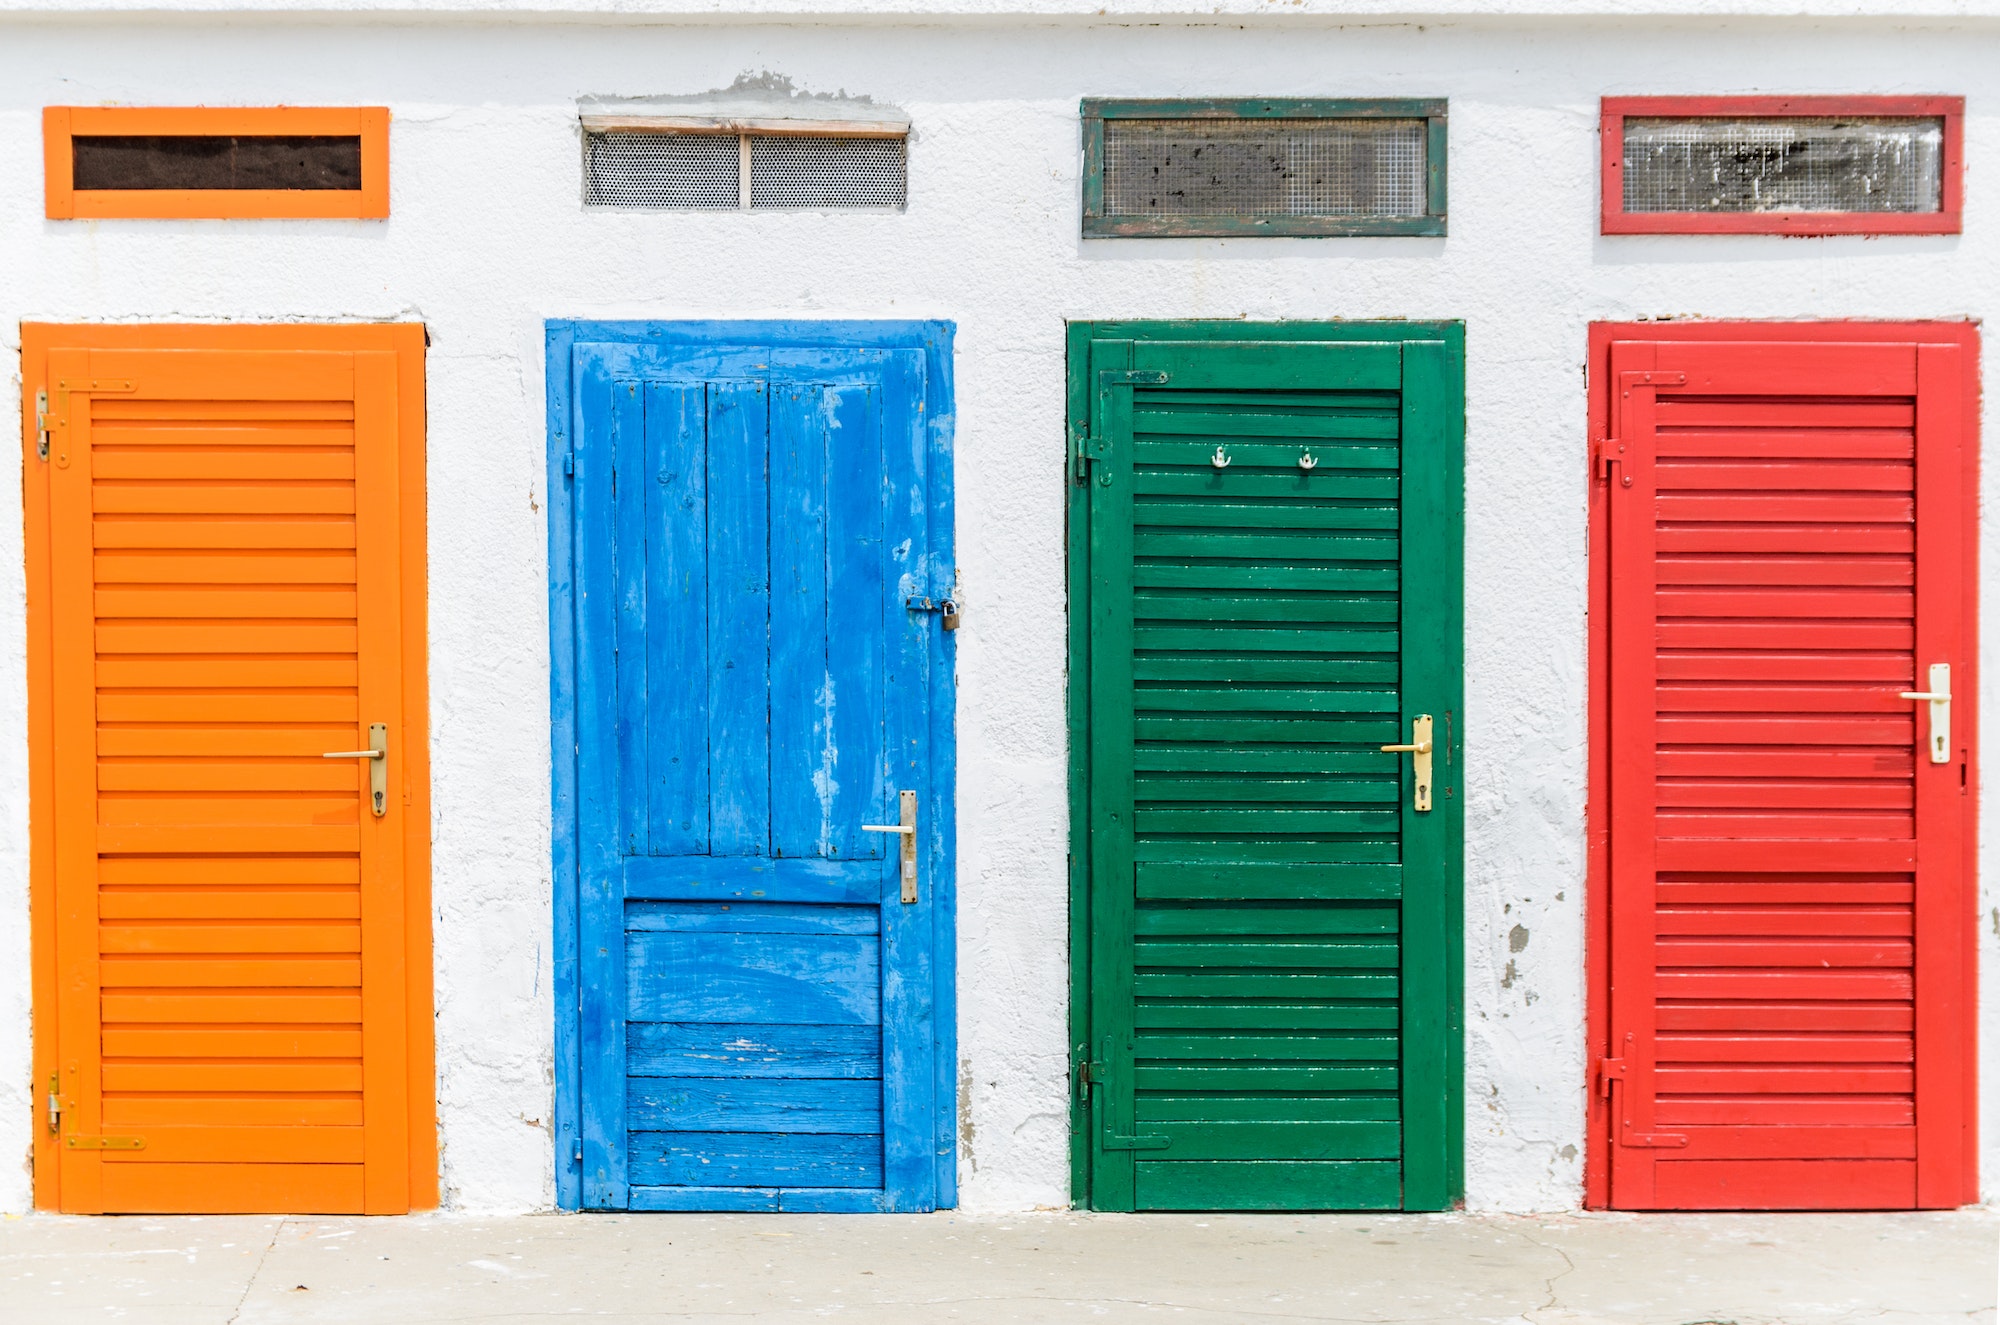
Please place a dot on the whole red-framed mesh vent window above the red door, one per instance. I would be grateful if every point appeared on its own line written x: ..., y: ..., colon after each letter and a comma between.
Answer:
x: 1791, y: 173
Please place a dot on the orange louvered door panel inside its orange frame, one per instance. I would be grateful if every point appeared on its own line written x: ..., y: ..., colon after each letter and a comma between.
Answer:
x: 225, y: 609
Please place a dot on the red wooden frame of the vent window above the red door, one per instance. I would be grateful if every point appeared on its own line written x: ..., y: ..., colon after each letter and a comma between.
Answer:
x: 1611, y: 165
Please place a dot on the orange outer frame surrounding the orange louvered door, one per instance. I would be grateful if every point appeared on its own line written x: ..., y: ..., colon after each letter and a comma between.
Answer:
x: 409, y: 341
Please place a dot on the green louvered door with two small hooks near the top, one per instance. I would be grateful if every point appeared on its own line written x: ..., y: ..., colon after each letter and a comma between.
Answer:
x: 1265, y: 591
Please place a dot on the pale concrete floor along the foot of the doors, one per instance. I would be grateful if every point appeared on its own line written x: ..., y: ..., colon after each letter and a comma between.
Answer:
x: 893, y: 1270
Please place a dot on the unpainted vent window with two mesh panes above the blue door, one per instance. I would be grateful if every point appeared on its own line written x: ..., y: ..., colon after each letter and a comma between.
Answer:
x: 745, y: 171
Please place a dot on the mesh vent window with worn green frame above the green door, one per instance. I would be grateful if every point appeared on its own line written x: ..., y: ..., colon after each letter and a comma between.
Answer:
x: 1225, y: 169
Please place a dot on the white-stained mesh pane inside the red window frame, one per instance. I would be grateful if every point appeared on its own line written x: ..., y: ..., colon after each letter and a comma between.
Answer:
x: 1783, y: 165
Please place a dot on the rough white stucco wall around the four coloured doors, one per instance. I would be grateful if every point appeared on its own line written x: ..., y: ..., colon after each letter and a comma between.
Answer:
x: 489, y: 239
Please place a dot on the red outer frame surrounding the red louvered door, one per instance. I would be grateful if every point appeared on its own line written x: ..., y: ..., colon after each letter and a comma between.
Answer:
x: 1597, y: 892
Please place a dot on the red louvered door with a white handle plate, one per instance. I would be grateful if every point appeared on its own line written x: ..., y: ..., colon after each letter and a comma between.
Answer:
x: 1787, y: 541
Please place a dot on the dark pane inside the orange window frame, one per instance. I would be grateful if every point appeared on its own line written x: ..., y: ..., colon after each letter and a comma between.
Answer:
x: 221, y: 163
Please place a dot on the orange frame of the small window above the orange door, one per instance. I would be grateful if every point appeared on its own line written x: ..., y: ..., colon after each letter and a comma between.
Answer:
x: 61, y: 125
